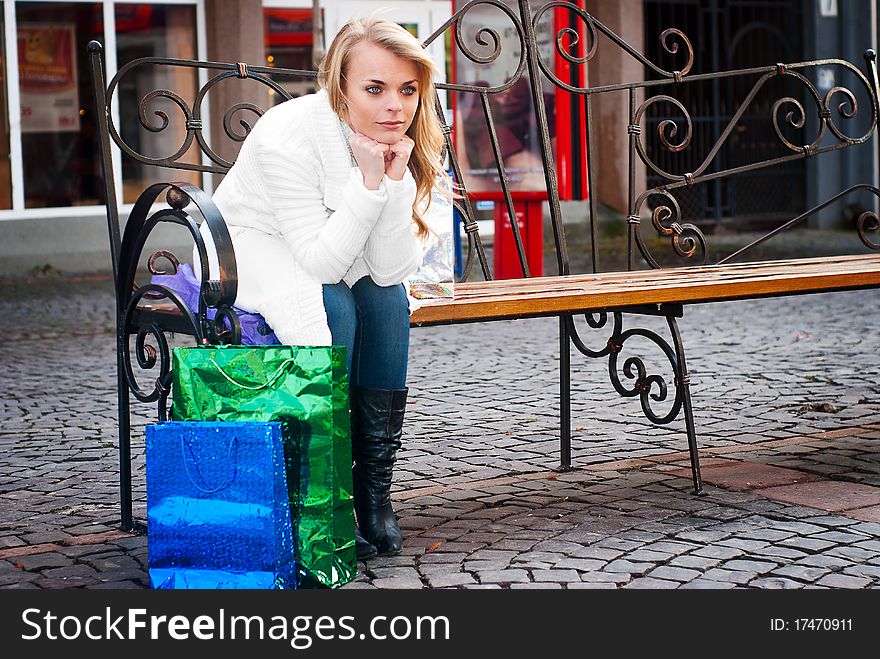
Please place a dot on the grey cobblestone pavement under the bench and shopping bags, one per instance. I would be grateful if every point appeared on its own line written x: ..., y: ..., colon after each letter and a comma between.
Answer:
x: 787, y: 413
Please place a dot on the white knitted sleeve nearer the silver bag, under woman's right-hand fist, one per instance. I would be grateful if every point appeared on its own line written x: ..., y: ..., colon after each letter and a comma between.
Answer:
x: 392, y: 251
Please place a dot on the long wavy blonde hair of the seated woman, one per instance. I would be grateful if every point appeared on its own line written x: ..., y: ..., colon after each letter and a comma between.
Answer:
x: 426, y: 130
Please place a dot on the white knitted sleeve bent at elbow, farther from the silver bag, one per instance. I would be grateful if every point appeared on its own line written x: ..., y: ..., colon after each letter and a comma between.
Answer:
x: 324, y: 242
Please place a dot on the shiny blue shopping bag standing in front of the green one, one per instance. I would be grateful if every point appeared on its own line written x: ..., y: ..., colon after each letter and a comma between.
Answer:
x: 218, y: 512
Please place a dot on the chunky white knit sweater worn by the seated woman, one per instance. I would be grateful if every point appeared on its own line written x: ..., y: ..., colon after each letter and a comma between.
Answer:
x: 295, y: 180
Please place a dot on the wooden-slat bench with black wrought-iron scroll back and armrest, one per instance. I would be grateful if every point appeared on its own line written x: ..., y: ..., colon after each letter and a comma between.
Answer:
x: 148, y: 312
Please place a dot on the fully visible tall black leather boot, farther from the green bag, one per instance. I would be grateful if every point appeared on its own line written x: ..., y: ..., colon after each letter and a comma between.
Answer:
x: 377, y: 426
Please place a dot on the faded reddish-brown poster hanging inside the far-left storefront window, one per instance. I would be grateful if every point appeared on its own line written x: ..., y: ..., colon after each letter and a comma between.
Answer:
x: 47, y: 75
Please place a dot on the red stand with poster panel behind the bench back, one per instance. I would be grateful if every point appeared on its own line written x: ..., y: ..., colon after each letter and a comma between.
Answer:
x: 517, y: 132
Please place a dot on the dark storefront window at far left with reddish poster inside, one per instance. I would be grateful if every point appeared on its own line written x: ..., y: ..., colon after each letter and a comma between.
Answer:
x: 57, y: 115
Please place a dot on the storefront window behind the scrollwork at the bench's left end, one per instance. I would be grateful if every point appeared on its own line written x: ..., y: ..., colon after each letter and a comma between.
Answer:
x: 149, y: 30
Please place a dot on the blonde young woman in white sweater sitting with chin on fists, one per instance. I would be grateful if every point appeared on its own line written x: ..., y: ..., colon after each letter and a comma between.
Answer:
x: 327, y: 204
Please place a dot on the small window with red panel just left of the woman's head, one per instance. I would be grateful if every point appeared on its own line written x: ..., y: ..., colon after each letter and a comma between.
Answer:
x: 288, y: 42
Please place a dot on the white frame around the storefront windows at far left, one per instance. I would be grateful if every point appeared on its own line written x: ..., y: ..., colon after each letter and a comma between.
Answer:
x: 10, y: 36
